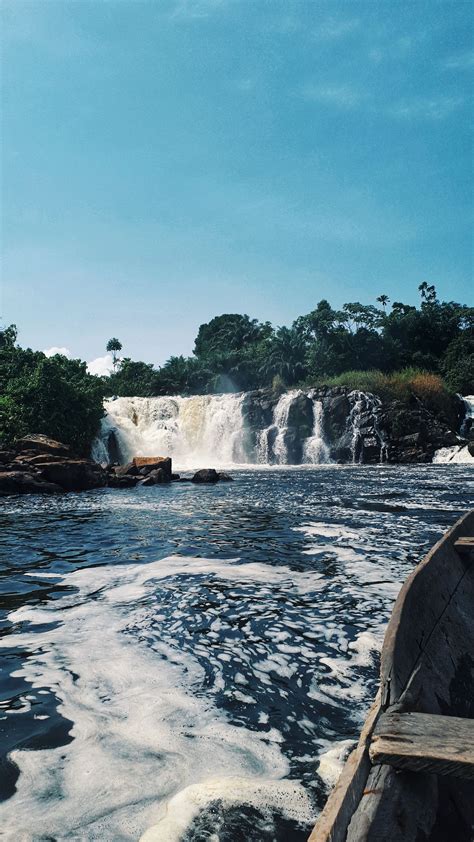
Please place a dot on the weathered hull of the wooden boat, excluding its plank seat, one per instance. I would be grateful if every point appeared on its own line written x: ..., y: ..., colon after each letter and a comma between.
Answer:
x: 427, y: 665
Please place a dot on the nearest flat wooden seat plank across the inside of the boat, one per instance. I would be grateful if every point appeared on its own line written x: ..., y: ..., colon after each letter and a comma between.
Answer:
x: 424, y: 742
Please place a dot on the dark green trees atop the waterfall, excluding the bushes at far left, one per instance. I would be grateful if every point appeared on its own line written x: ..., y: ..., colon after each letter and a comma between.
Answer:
x: 233, y: 352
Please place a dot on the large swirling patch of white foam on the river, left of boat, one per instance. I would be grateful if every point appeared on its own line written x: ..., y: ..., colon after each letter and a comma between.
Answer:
x: 141, y: 723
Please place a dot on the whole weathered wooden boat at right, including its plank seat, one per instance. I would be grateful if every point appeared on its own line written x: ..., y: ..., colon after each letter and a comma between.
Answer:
x: 411, y: 775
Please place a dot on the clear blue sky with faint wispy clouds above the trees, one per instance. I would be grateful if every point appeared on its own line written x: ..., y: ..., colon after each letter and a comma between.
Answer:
x: 164, y: 162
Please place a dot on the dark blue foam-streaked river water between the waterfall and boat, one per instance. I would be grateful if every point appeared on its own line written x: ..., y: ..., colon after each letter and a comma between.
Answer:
x: 192, y: 663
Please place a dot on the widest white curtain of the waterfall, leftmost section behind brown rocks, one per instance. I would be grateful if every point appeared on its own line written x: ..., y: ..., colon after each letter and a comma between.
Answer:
x: 200, y: 431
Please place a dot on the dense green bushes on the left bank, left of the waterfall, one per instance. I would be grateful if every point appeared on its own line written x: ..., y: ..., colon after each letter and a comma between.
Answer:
x: 55, y: 396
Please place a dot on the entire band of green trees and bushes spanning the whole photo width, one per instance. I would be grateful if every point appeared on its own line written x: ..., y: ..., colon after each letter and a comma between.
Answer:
x: 232, y: 352
